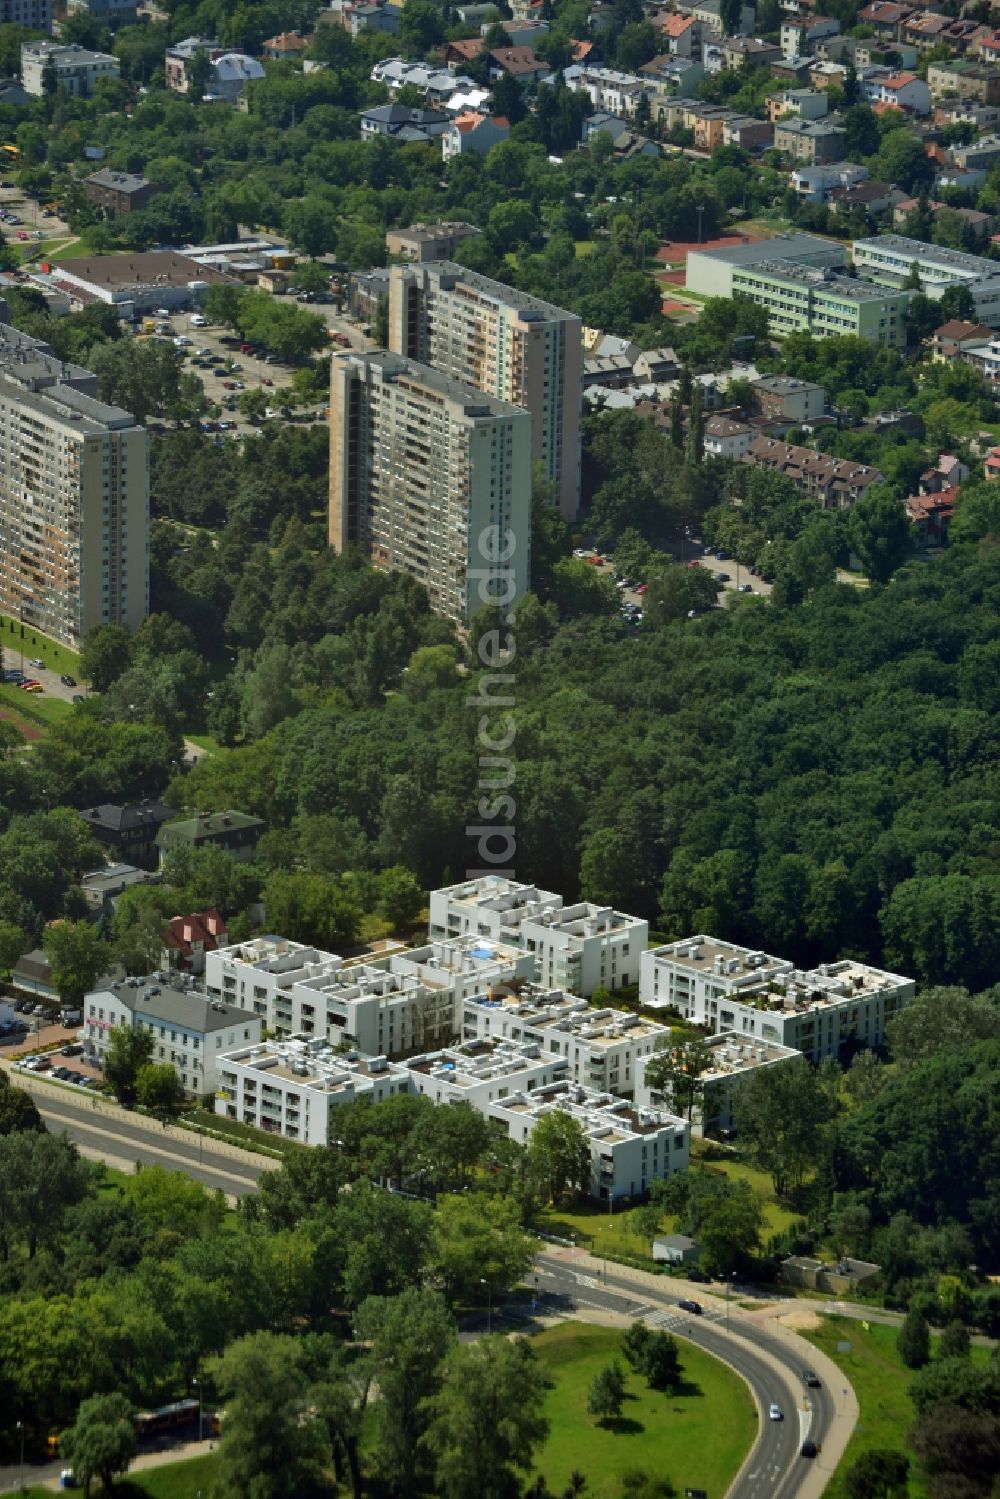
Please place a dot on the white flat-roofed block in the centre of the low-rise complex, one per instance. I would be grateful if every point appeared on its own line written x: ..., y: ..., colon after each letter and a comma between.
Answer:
x: 602, y: 1049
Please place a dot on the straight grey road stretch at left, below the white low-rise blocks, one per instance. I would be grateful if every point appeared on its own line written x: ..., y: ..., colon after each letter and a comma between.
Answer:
x: 119, y: 1141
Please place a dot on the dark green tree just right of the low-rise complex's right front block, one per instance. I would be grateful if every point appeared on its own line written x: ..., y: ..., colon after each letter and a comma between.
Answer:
x: 780, y: 1115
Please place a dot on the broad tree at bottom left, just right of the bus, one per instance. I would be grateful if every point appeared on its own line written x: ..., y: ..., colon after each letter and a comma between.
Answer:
x: 272, y: 1444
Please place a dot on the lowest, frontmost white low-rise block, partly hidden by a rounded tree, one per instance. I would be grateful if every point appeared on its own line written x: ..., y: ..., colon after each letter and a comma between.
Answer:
x: 630, y: 1149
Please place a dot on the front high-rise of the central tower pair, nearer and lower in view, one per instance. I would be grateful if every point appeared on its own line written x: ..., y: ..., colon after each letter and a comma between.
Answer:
x: 422, y: 468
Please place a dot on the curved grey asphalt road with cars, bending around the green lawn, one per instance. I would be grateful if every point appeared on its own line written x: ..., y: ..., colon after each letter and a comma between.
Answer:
x: 776, y: 1468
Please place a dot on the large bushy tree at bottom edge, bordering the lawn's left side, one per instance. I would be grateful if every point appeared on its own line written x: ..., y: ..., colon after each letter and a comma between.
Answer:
x: 488, y: 1419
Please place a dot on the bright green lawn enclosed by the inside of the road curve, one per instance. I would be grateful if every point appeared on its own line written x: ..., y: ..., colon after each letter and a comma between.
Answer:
x: 698, y: 1438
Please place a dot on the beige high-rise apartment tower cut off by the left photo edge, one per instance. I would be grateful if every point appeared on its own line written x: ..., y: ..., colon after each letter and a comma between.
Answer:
x: 74, y: 497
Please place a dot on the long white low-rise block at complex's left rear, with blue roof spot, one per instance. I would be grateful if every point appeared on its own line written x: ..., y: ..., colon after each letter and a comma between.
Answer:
x: 391, y: 1007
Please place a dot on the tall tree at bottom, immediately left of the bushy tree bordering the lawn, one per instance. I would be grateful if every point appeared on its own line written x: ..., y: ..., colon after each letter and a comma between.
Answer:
x: 409, y: 1336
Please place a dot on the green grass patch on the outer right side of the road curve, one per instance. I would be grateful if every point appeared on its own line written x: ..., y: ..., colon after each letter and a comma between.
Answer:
x: 881, y: 1383
